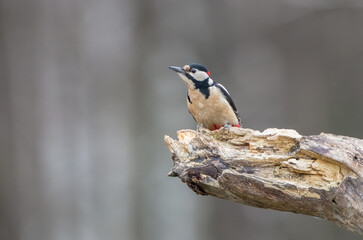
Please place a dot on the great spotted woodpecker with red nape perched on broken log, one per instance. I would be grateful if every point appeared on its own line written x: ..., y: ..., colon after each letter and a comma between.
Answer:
x: 209, y: 102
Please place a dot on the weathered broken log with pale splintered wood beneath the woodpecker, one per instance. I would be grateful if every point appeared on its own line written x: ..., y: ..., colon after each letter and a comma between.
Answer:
x: 318, y: 175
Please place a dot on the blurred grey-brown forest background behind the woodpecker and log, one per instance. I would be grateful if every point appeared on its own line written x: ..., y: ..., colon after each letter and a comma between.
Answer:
x: 86, y: 97
